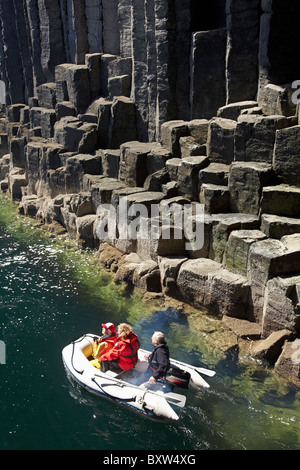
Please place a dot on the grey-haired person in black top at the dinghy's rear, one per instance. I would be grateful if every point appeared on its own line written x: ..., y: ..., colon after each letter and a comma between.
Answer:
x: 158, y: 360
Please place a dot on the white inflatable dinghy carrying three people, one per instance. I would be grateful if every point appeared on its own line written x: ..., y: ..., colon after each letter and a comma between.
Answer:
x: 126, y: 387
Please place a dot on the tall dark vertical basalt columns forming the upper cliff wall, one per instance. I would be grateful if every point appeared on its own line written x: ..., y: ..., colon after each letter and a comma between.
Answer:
x: 186, y: 63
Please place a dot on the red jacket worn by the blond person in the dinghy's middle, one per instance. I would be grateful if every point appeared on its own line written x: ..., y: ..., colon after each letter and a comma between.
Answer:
x: 124, y: 351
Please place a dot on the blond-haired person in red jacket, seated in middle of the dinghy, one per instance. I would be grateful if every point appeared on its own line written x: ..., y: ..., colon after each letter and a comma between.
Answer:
x: 123, y: 356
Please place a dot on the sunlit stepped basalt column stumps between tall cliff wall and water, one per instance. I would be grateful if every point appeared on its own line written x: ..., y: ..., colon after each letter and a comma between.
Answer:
x: 251, y: 247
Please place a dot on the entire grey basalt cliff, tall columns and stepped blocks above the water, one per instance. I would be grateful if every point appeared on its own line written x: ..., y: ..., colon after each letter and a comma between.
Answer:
x: 163, y: 102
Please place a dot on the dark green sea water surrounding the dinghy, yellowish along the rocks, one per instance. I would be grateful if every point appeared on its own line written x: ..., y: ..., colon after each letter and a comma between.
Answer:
x: 50, y: 294
